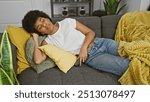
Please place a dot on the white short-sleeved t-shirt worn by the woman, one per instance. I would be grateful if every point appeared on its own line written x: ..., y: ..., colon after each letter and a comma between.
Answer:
x: 67, y: 37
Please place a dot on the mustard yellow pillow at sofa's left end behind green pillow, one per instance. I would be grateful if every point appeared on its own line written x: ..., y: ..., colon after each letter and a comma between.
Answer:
x: 19, y: 37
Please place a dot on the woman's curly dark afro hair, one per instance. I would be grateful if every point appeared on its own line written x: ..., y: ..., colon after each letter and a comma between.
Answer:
x: 30, y: 18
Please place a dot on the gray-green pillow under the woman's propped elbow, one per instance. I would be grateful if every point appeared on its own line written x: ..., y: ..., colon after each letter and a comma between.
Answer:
x: 48, y: 63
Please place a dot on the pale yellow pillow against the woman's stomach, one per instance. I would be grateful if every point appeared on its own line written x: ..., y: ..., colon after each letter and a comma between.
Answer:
x: 64, y: 60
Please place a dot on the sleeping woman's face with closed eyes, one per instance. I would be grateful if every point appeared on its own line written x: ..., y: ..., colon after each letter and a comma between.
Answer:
x: 44, y: 25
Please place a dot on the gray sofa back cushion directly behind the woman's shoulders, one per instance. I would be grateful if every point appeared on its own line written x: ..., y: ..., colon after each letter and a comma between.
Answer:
x: 92, y: 22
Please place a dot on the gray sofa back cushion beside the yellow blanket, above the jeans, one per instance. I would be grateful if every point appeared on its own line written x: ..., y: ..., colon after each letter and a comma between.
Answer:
x: 109, y: 25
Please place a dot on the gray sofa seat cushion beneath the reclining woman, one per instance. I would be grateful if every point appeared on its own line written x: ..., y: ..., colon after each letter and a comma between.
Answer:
x: 83, y: 75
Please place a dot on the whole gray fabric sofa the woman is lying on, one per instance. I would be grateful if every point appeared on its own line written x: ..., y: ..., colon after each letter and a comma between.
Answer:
x: 104, y: 27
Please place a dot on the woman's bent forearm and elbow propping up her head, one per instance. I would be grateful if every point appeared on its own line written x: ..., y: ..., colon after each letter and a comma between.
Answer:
x: 38, y: 55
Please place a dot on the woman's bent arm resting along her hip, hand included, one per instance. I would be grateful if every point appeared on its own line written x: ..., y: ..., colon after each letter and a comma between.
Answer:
x: 90, y: 34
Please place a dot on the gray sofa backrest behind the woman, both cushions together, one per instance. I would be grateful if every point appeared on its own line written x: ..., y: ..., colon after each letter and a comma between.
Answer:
x: 104, y: 26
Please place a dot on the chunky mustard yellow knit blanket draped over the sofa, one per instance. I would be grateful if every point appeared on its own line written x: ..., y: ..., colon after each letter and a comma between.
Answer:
x: 133, y: 34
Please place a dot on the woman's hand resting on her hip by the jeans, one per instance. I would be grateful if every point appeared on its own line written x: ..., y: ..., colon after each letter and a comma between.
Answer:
x: 82, y: 55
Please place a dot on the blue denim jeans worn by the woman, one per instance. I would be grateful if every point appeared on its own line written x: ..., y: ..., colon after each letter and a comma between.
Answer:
x: 104, y: 56
